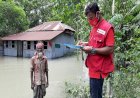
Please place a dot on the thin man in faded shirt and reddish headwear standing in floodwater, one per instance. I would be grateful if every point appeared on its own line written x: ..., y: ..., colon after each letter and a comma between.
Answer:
x: 39, y: 72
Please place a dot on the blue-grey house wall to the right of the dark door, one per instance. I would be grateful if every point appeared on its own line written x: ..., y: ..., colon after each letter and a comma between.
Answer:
x: 51, y: 51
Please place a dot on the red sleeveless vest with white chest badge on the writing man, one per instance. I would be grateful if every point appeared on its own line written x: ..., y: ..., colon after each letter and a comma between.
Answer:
x: 96, y: 62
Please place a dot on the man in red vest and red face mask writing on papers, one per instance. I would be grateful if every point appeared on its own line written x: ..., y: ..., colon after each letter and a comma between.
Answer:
x: 99, y: 48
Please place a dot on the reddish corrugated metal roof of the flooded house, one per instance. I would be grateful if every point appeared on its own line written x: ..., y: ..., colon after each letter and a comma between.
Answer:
x: 45, y: 31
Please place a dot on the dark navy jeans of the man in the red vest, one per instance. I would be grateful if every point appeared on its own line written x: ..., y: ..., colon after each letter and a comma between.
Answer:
x: 96, y: 87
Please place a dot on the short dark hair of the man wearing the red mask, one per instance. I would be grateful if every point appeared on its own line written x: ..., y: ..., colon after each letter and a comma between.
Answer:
x: 93, y: 7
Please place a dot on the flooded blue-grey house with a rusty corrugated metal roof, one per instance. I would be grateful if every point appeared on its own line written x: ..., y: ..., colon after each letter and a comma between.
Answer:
x: 53, y: 34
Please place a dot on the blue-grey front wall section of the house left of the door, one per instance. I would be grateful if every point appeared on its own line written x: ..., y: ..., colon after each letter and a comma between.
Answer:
x: 9, y: 51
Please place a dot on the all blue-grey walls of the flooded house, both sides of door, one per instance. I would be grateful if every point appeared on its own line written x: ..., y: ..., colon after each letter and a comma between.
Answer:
x: 50, y: 52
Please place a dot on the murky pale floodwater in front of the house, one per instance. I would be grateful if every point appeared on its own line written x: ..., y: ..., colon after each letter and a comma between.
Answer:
x: 15, y: 76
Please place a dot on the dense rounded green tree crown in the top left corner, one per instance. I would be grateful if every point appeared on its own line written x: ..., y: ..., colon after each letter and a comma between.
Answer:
x: 12, y: 18
